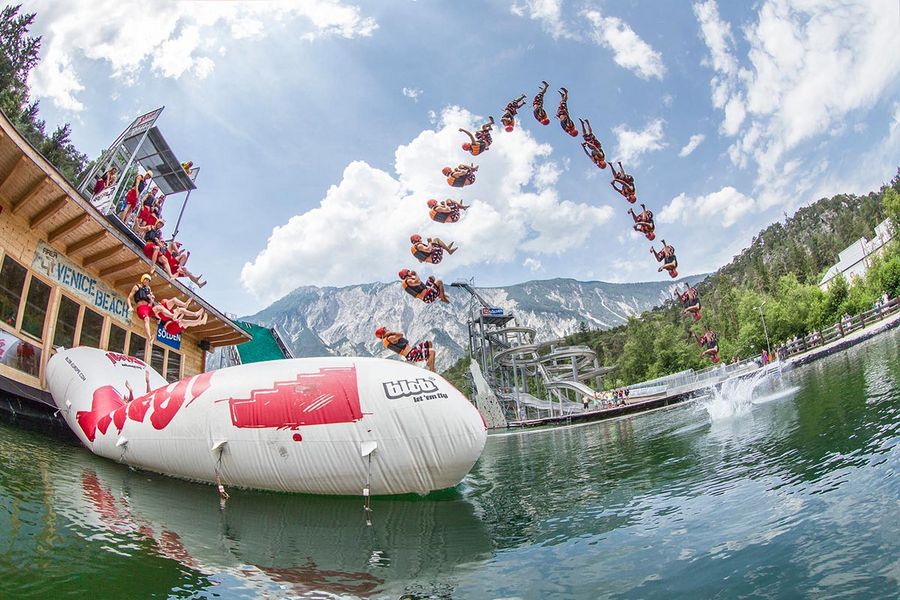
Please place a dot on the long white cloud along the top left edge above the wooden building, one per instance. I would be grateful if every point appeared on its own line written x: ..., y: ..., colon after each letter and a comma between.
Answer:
x: 172, y: 39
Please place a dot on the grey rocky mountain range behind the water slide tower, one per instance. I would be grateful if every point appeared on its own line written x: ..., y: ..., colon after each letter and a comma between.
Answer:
x: 322, y: 321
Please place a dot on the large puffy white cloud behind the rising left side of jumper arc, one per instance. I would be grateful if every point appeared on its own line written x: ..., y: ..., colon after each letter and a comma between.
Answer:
x: 360, y: 229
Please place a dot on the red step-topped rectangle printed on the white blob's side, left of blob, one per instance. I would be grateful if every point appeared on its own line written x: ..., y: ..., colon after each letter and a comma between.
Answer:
x: 323, y: 398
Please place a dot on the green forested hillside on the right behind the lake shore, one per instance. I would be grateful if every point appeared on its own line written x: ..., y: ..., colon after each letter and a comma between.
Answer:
x: 776, y: 276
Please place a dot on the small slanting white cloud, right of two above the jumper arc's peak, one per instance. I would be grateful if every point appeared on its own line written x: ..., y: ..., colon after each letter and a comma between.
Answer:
x: 629, y: 50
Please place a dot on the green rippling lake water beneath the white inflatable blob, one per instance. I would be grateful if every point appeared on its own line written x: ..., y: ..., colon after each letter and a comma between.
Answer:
x: 784, y: 487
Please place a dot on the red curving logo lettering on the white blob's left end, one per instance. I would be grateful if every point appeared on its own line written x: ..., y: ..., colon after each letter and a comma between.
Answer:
x: 108, y: 406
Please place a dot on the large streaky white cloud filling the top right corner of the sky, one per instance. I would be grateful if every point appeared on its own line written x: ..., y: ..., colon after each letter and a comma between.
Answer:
x: 811, y: 67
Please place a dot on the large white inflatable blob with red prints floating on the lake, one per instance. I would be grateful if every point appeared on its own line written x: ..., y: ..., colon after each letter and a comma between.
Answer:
x: 314, y: 425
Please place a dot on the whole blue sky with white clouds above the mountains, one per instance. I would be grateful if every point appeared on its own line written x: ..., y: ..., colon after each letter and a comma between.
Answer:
x: 320, y: 127
